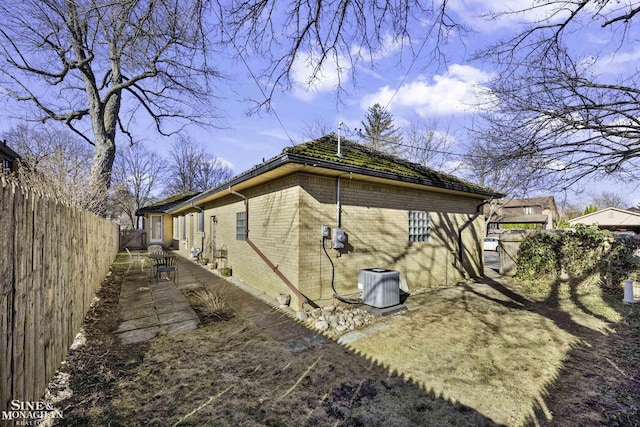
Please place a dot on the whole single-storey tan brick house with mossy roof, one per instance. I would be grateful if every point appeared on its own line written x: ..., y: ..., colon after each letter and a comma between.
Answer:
x: 306, y: 221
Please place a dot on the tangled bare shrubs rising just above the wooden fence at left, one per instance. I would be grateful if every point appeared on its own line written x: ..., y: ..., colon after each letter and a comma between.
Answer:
x: 56, y: 163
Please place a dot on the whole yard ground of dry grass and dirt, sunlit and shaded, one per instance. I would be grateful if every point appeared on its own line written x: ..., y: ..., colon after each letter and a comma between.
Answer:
x: 484, y: 356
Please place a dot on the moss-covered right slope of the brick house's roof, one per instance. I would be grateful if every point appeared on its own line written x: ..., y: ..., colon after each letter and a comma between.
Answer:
x: 355, y: 154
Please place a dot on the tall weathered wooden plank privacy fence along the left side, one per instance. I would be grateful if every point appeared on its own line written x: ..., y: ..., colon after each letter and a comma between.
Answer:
x: 52, y: 260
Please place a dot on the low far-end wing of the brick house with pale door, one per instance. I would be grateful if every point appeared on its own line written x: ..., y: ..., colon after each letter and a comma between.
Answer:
x: 158, y: 223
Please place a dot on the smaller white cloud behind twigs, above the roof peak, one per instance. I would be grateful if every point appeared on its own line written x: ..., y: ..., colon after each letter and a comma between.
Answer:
x: 329, y: 77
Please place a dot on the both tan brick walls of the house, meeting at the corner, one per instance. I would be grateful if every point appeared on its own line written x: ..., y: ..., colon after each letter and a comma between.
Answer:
x: 285, y: 219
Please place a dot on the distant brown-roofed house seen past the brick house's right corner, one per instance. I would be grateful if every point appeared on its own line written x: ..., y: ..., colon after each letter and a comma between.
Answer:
x: 535, y: 212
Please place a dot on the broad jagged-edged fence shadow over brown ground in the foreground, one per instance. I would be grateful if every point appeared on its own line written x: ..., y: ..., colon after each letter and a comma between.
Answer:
x: 234, y: 373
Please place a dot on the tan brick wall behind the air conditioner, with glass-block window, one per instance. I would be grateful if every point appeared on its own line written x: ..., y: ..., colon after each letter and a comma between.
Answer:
x: 375, y: 218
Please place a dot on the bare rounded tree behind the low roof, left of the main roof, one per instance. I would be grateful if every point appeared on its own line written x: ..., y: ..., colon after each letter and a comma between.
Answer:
x: 192, y: 168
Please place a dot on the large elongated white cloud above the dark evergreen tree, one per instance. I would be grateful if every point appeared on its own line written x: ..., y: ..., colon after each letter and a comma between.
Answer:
x: 458, y: 91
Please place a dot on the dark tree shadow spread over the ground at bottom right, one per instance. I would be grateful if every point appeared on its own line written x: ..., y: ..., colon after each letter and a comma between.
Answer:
x: 596, y: 383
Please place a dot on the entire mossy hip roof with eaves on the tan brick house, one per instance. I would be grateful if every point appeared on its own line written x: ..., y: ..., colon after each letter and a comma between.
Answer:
x: 319, y: 157
